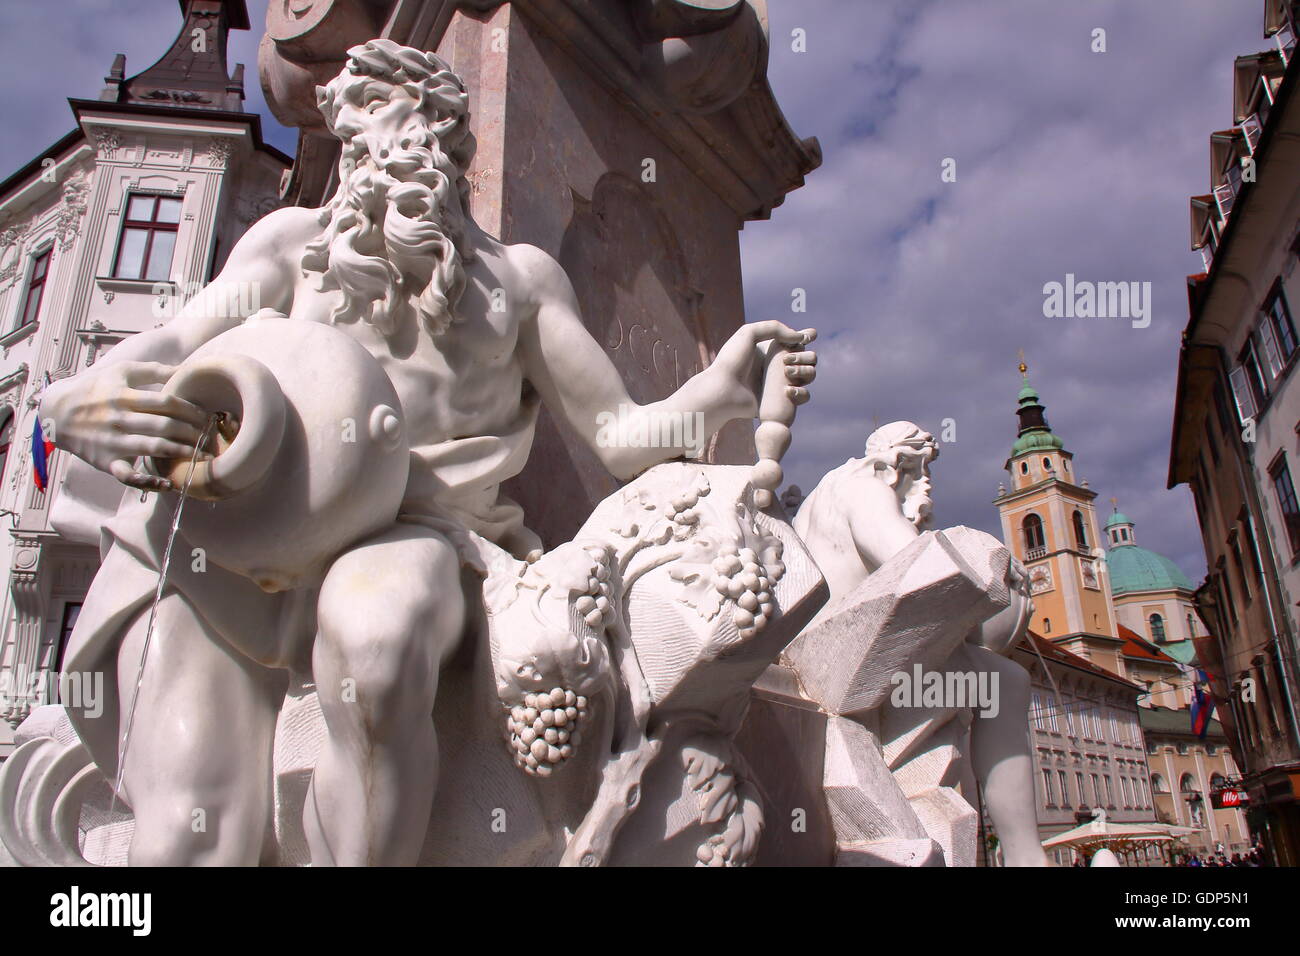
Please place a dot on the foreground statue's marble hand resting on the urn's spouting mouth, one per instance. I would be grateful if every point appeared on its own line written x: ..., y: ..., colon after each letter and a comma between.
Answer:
x: 109, y: 418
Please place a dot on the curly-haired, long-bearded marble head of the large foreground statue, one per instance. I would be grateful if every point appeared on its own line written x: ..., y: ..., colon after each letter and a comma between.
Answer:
x: 396, y: 228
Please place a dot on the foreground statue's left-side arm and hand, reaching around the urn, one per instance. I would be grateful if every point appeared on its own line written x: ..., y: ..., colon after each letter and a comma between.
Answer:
x: 111, y: 414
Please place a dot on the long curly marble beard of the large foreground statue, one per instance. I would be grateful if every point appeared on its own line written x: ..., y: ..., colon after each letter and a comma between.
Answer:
x: 393, y: 240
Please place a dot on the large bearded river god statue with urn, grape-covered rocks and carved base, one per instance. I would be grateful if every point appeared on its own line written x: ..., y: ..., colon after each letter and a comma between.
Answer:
x: 361, y: 654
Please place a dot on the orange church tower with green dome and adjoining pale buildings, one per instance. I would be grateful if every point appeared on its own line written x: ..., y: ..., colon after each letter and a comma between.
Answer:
x: 1112, y: 656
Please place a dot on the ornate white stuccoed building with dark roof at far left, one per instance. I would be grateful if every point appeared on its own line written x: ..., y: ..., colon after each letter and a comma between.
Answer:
x: 103, y: 235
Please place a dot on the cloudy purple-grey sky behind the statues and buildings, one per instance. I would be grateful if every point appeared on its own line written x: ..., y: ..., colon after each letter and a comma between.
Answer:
x: 1068, y: 162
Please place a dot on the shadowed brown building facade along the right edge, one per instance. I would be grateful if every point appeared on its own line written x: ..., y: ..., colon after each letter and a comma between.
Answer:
x: 1237, y: 421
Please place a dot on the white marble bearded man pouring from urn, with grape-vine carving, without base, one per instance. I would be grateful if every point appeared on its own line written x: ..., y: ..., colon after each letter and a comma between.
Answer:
x: 473, y: 335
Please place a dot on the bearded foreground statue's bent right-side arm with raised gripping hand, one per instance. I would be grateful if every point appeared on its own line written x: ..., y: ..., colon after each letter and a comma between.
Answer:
x: 578, y: 380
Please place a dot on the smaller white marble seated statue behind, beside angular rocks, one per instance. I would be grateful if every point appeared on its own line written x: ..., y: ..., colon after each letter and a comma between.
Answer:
x: 863, y: 520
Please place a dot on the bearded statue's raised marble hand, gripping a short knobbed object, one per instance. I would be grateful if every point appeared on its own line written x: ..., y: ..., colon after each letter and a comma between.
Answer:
x: 740, y: 365
